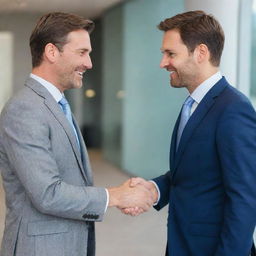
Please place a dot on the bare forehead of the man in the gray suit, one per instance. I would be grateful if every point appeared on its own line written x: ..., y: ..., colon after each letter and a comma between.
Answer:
x: 79, y: 39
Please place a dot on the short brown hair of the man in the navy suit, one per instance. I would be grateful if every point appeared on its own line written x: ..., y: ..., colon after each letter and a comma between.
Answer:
x: 197, y: 27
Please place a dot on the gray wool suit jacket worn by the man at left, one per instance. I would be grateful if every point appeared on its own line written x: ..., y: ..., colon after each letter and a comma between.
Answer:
x: 51, y: 203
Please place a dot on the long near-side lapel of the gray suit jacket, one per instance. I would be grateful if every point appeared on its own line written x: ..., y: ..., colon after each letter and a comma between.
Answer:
x: 55, y: 109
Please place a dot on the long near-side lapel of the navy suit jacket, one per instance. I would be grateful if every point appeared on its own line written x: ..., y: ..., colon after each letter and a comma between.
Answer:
x: 196, y: 118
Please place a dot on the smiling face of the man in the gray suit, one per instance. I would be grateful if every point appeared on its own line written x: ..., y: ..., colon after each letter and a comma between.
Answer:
x: 73, y: 60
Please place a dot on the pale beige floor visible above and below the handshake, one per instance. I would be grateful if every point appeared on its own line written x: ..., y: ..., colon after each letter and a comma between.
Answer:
x: 119, y: 234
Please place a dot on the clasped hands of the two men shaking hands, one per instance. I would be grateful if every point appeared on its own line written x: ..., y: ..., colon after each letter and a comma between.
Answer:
x: 133, y: 197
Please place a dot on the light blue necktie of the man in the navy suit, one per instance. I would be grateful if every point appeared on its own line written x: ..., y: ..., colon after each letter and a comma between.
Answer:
x: 185, y: 115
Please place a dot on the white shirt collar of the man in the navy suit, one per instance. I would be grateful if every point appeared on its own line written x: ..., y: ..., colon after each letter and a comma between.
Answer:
x: 204, y: 87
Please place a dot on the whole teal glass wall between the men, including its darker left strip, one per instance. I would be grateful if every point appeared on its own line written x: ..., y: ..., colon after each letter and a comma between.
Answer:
x: 144, y: 119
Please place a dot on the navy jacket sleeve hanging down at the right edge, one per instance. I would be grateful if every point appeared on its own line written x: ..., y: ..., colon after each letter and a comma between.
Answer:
x: 236, y: 143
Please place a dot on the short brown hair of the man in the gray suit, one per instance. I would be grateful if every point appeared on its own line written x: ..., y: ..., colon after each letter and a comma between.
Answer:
x: 54, y: 28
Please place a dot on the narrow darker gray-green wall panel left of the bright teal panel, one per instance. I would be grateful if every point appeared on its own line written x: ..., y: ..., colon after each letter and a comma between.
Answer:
x: 112, y: 83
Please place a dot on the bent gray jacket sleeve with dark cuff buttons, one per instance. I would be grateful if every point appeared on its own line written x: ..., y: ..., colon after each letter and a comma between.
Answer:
x: 26, y: 140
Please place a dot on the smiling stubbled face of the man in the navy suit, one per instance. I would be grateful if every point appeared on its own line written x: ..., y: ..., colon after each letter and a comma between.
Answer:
x: 179, y: 61
